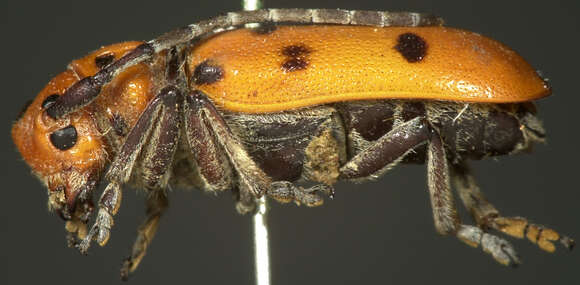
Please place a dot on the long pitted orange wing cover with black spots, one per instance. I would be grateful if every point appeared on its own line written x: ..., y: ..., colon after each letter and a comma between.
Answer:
x: 356, y: 63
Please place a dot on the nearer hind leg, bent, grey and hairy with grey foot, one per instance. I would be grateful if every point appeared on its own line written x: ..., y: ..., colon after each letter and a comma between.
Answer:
x: 393, y: 147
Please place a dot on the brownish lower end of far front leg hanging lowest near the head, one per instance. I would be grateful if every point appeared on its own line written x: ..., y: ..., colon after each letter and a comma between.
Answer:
x: 156, y: 205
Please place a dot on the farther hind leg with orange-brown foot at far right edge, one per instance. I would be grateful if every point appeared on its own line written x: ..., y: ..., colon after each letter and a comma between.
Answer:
x: 486, y: 215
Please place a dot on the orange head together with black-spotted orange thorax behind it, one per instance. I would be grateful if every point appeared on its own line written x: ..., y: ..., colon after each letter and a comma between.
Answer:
x: 70, y: 154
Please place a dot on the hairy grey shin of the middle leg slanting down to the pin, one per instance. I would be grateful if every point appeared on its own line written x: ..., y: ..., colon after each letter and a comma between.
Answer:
x: 251, y: 180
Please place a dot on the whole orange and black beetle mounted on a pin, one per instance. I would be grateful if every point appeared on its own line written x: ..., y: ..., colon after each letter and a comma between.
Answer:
x: 285, y: 108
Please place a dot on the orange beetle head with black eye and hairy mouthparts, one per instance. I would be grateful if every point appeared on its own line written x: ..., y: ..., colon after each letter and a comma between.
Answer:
x: 67, y: 154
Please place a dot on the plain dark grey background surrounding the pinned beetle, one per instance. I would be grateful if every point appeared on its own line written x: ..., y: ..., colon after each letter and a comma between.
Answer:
x: 378, y: 232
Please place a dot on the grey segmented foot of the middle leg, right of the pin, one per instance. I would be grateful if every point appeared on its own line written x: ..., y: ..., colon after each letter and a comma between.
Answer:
x: 284, y: 191
